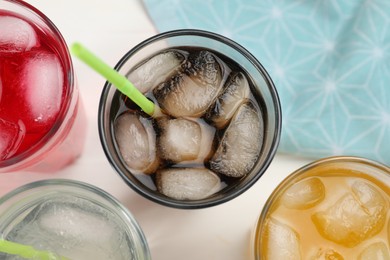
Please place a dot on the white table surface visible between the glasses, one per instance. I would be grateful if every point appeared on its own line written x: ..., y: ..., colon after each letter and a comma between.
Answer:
x: 110, y: 29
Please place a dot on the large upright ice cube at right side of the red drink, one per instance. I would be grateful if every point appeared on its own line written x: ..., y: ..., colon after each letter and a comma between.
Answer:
x: 43, y: 83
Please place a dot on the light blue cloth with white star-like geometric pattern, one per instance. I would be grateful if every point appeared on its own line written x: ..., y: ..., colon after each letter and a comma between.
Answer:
x: 330, y: 61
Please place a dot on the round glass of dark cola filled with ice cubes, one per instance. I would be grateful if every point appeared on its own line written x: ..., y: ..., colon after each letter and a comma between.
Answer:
x: 219, y: 125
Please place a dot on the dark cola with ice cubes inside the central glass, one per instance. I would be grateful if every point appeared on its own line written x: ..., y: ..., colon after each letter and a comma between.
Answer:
x: 212, y: 128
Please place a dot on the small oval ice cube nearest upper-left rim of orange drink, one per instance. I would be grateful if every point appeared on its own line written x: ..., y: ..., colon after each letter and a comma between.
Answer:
x: 304, y: 194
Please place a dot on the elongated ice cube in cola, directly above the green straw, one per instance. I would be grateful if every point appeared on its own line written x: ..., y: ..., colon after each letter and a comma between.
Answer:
x: 156, y: 70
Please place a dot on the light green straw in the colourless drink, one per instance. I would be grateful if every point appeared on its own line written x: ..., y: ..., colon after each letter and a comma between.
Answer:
x: 27, y: 252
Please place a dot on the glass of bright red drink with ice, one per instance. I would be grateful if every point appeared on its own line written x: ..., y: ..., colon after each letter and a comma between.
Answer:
x: 42, y: 122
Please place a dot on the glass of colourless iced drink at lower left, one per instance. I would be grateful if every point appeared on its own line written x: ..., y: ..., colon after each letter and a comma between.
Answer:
x: 70, y: 219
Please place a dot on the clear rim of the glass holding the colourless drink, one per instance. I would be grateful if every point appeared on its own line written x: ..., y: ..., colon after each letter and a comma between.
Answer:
x: 88, y: 190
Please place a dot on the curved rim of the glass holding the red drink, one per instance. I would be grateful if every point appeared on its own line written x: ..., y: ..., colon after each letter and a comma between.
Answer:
x: 66, y: 61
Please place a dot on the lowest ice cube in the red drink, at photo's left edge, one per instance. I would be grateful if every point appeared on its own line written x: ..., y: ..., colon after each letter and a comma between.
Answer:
x: 11, y: 136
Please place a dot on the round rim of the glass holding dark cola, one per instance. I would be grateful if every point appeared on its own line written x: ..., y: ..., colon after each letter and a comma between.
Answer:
x: 204, y: 203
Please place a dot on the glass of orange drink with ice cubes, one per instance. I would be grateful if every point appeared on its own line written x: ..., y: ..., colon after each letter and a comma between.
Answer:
x: 334, y: 208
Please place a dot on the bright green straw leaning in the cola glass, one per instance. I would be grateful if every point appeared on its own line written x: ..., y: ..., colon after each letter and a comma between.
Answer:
x: 112, y: 76
